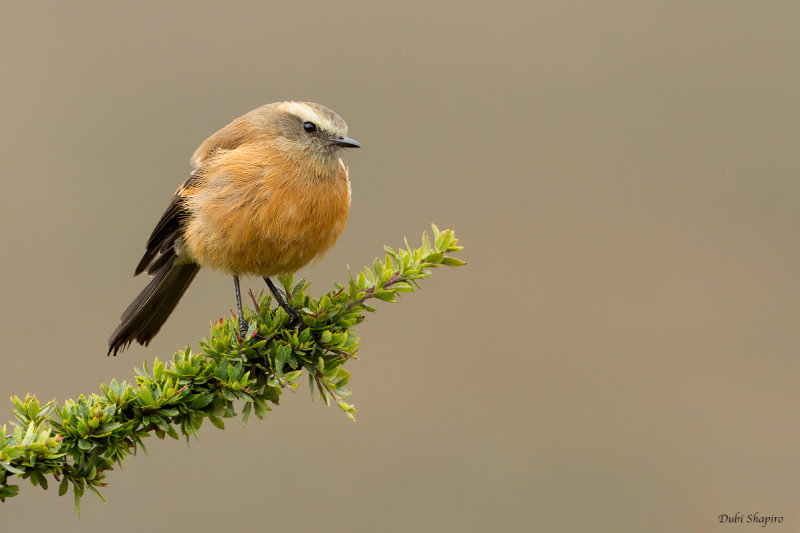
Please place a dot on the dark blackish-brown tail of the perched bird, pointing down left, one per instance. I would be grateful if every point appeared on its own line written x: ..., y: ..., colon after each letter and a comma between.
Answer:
x: 148, y: 312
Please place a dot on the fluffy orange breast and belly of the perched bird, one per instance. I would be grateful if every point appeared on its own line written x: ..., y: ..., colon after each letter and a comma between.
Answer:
x: 268, y: 218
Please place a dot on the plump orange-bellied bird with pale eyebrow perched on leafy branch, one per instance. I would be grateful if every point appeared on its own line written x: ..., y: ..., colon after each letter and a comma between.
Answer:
x: 267, y: 194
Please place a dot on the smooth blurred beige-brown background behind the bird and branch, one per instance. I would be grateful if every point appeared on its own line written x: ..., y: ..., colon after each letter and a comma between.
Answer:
x: 621, y: 353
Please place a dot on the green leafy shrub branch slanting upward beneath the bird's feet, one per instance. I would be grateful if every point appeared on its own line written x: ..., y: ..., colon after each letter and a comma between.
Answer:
x: 80, y: 441
